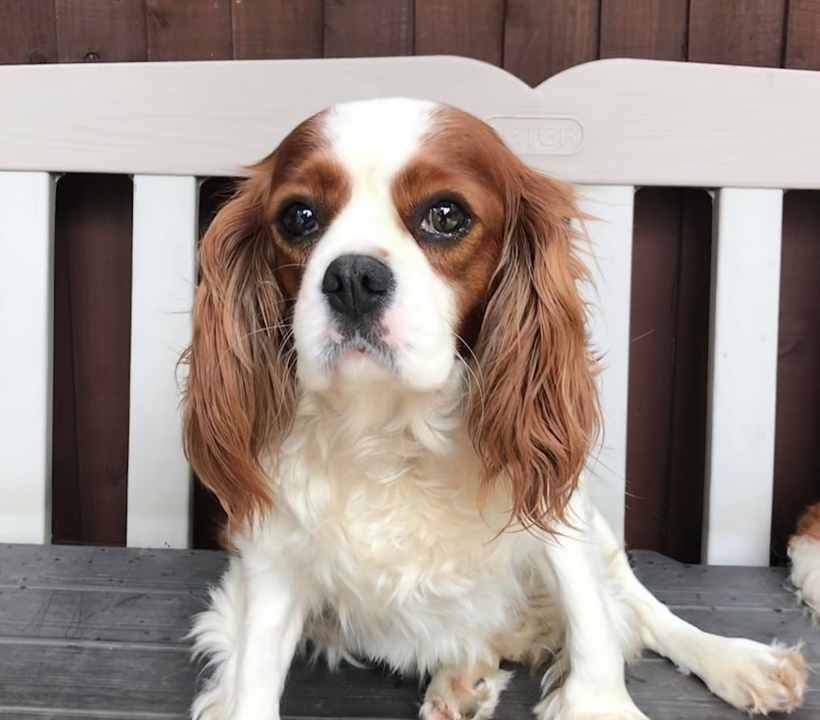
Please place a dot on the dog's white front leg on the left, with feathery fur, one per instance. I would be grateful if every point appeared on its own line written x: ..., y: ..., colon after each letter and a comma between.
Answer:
x: 249, y: 635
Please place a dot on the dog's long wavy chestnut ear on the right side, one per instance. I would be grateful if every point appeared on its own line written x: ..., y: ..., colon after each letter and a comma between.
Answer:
x: 534, y: 424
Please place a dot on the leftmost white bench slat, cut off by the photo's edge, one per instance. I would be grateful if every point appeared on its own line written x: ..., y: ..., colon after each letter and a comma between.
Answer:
x: 26, y: 290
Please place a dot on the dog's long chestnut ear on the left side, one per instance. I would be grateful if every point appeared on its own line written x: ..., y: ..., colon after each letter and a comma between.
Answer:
x: 240, y: 392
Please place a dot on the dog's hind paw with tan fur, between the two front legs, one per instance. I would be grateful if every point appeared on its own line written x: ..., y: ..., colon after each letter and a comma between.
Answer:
x: 464, y: 693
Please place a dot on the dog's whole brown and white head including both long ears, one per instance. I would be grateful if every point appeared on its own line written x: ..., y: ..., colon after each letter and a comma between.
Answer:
x: 393, y: 241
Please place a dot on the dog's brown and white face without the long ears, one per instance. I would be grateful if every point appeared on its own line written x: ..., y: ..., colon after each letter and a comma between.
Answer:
x: 395, y: 221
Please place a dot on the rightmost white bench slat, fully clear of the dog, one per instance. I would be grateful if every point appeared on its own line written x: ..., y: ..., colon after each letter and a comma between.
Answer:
x: 742, y: 376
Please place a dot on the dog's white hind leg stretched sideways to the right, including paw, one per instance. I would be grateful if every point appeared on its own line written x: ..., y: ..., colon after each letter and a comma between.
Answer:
x: 751, y: 676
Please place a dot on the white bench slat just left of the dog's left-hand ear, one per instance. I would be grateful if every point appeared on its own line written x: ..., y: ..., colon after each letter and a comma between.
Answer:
x: 159, y: 480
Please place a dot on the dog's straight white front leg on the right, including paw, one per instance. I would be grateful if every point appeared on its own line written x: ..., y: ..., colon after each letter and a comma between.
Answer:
x: 595, y: 687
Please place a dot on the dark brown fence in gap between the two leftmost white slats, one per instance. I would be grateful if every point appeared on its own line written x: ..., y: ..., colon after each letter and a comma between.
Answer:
x: 94, y: 242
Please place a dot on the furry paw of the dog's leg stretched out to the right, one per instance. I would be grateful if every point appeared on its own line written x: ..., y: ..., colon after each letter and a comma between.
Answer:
x: 757, y: 678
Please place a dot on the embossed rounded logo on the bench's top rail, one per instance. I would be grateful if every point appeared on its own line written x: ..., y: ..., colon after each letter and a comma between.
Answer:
x: 539, y: 134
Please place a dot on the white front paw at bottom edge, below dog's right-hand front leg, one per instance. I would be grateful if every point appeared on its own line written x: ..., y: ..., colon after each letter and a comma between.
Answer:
x: 573, y: 701
